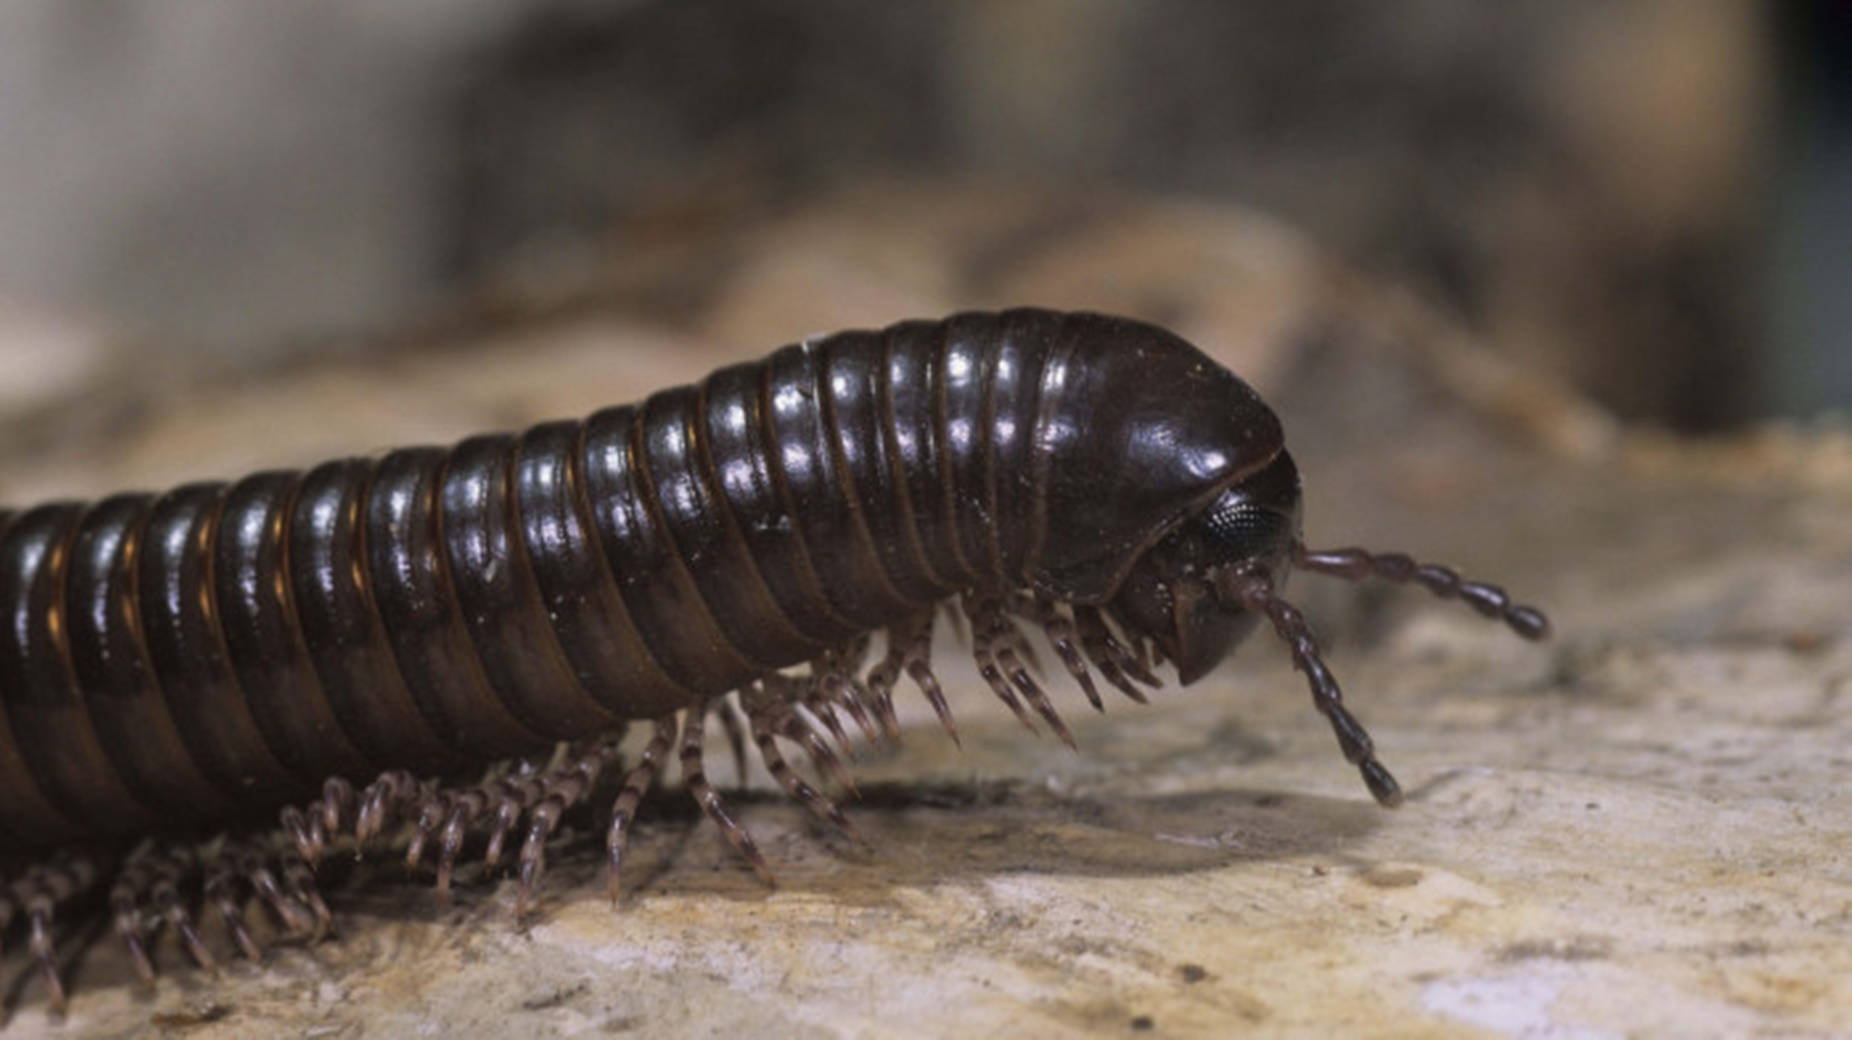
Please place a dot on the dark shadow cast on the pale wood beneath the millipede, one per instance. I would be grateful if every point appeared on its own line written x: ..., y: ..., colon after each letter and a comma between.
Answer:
x: 920, y: 836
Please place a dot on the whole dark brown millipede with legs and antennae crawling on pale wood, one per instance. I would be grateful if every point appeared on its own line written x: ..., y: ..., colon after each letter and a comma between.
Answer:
x: 445, y: 647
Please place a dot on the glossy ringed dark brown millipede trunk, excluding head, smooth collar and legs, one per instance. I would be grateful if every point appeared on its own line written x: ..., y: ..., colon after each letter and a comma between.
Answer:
x: 184, y: 656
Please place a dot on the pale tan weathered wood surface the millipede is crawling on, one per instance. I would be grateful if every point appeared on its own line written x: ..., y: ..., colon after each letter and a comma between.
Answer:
x: 1636, y: 830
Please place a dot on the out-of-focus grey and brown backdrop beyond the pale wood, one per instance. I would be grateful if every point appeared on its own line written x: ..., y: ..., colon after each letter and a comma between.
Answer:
x: 1647, y: 201
